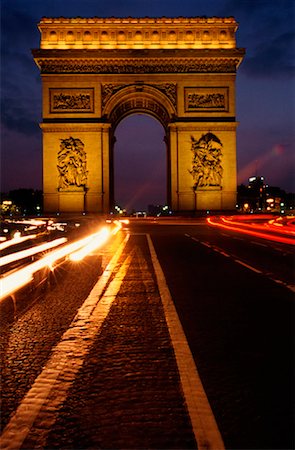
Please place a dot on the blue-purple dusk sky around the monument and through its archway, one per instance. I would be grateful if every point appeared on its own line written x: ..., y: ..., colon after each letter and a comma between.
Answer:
x: 264, y: 98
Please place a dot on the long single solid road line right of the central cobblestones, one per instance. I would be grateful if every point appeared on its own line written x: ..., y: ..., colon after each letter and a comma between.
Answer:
x: 203, y: 421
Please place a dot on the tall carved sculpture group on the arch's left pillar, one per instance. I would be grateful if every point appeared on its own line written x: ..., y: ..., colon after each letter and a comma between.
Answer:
x: 71, y: 164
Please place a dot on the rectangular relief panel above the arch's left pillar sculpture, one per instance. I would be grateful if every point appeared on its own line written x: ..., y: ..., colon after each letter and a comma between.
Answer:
x: 70, y: 100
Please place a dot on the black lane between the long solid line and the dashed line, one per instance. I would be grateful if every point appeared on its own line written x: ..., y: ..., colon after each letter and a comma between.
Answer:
x: 240, y: 328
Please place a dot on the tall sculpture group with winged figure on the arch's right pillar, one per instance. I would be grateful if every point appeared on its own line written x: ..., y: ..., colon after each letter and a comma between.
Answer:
x: 206, y: 165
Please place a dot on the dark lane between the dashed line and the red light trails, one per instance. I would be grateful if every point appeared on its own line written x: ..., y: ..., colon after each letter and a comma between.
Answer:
x: 274, y: 259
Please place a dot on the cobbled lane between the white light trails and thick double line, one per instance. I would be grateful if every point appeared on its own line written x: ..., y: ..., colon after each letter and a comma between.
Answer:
x: 35, y: 321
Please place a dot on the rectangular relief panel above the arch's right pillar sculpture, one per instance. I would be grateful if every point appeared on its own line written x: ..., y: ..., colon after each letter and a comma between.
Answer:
x: 206, y: 99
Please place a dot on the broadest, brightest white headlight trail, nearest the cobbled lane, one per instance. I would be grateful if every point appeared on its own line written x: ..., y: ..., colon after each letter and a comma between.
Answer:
x: 12, y: 282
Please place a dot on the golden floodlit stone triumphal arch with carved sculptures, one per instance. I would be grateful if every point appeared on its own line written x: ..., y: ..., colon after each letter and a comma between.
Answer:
x: 96, y: 71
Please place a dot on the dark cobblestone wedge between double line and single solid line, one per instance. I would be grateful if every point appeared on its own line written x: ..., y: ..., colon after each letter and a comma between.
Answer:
x: 127, y: 394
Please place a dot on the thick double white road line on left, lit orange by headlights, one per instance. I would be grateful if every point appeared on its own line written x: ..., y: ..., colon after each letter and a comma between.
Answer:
x: 66, y: 360
